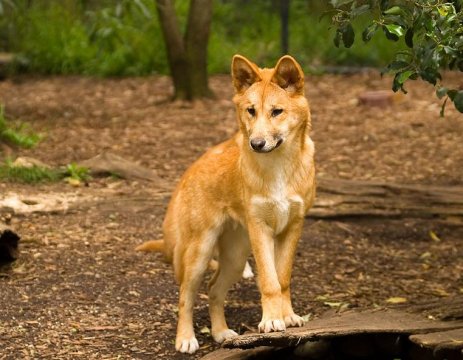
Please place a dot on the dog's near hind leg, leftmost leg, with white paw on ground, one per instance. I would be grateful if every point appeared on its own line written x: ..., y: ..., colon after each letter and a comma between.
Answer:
x: 190, y: 262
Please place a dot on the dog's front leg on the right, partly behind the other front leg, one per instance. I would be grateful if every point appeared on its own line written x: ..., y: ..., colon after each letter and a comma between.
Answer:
x: 285, y: 249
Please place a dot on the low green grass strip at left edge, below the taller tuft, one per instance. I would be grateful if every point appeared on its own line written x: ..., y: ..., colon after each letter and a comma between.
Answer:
x: 34, y: 174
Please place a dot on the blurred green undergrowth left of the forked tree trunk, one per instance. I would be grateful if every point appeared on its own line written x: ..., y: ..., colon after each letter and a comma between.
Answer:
x: 63, y: 38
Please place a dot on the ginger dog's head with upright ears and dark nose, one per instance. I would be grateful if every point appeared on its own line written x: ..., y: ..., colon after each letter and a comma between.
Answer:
x: 270, y: 103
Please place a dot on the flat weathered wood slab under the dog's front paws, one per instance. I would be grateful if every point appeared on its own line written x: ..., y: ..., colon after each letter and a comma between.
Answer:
x: 345, y: 324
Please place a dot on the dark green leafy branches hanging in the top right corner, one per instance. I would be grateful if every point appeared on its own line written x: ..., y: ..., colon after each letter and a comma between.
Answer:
x: 432, y: 32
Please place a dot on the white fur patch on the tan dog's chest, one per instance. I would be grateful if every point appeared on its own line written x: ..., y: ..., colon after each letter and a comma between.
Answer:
x: 277, y: 207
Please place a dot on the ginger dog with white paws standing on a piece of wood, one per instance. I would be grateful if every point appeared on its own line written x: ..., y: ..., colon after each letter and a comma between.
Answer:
x: 247, y: 194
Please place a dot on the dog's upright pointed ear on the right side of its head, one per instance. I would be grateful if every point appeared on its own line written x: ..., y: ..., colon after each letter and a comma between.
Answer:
x: 288, y: 75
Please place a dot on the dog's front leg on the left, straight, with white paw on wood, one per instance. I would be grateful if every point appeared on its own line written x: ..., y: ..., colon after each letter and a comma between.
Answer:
x: 263, y: 245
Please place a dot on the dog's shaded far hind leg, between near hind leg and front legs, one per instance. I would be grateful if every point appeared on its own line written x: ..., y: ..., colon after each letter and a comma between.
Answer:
x: 234, y: 249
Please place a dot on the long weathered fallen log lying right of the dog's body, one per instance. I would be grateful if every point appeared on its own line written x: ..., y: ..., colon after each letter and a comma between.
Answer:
x: 338, y: 198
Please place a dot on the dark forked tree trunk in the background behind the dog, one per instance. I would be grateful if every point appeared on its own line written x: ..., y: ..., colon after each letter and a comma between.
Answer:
x: 187, y: 57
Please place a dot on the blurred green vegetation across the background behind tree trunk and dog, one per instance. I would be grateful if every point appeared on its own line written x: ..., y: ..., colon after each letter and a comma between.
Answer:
x: 123, y: 37
